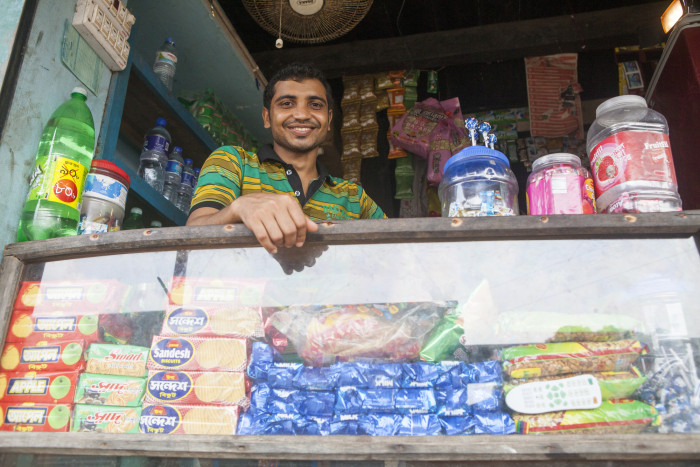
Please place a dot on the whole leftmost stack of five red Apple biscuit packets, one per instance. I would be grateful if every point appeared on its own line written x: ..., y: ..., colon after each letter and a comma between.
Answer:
x: 50, y: 327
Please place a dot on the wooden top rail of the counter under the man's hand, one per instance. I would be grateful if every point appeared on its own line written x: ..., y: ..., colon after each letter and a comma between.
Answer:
x: 650, y: 225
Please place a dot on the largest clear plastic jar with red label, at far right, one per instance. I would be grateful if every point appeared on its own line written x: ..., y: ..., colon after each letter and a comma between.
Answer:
x: 631, y: 159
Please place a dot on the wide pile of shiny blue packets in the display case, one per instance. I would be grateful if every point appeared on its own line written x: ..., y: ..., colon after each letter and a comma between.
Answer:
x: 376, y: 399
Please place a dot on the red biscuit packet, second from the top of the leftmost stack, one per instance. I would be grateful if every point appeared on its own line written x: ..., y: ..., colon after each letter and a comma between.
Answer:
x: 28, y: 328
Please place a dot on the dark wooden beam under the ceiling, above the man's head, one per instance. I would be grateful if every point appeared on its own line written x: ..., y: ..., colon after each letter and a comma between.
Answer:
x: 602, y: 29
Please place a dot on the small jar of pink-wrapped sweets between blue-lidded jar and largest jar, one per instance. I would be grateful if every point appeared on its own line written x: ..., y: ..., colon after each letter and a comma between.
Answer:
x: 559, y: 184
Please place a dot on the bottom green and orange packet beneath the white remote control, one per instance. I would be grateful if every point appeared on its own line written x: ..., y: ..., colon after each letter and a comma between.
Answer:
x: 621, y: 416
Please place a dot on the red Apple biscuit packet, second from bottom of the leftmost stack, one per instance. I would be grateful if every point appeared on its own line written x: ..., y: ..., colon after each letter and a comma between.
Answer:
x: 43, y: 387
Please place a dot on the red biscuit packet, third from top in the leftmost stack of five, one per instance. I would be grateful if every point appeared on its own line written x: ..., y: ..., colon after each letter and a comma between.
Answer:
x: 57, y: 356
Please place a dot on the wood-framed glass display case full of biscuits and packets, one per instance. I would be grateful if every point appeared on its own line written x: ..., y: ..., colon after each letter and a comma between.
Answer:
x: 491, y: 339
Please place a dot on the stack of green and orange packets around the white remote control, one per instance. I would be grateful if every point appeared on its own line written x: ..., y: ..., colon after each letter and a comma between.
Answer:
x: 610, y: 362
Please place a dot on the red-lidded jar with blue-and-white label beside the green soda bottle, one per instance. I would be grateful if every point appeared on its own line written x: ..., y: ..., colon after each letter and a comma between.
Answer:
x: 104, y: 198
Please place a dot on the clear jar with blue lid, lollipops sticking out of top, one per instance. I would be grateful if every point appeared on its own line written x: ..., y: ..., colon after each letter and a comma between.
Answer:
x: 478, y: 181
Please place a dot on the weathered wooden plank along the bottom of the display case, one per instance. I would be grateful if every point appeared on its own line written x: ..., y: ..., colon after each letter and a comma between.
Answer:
x: 636, y: 448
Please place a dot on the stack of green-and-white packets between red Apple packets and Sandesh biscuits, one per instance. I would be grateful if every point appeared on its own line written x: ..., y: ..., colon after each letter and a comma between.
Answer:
x: 109, y: 394
